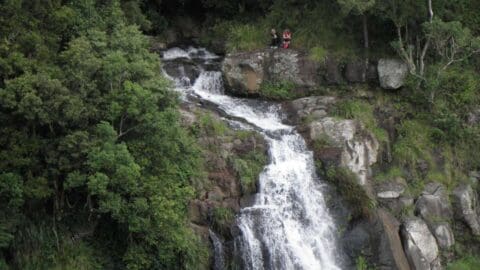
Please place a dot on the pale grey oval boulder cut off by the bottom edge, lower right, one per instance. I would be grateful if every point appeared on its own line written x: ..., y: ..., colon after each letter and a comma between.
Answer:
x: 419, y: 244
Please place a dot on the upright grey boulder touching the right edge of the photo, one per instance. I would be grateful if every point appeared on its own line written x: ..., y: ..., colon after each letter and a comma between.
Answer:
x: 466, y: 207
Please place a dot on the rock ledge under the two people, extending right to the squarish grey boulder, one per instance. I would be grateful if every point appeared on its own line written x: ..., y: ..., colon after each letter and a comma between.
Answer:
x: 245, y: 72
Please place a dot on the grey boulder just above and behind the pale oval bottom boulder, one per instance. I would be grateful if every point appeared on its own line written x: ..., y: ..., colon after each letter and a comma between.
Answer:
x: 433, y: 204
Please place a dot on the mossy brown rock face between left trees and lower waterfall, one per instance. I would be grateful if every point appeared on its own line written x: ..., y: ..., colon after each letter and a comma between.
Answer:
x: 233, y: 160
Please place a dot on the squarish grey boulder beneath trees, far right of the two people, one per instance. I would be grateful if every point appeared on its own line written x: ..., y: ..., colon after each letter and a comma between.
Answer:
x: 392, y: 73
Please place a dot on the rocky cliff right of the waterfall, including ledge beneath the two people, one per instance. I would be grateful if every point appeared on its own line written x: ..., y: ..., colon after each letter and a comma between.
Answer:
x: 402, y: 229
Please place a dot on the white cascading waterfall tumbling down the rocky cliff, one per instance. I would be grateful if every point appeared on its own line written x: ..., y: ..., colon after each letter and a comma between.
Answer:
x: 288, y: 226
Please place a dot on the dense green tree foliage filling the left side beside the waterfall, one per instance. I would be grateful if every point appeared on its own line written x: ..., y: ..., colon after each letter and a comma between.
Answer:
x: 96, y: 170
